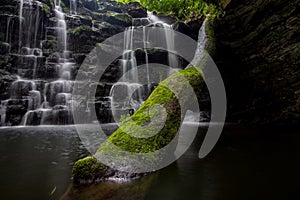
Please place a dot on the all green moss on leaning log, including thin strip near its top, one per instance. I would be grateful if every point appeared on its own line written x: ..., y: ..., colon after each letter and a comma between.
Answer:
x: 89, y: 169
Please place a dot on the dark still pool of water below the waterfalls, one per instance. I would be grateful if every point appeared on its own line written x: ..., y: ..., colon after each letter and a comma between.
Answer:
x: 247, y: 163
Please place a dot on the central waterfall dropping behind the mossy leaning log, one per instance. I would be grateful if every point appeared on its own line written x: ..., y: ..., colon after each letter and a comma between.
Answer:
x: 128, y: 94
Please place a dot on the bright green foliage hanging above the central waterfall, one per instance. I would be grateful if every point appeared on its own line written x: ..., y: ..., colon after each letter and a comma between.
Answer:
x: 184, y: 9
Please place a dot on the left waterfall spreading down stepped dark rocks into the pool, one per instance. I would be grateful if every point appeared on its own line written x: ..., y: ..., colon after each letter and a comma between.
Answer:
x: 37, y: 100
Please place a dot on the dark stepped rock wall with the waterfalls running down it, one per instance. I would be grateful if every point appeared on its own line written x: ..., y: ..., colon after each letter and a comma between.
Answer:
x: 43, y: 44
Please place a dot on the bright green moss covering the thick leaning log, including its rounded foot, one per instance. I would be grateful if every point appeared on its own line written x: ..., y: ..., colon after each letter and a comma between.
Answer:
x: 149, y: 138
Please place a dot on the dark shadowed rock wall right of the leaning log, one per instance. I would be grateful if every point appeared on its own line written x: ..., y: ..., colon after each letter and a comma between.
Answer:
x: 258, y: 55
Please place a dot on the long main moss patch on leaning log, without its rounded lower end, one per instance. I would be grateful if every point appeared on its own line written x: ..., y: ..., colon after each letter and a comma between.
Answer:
x: 162, y: 96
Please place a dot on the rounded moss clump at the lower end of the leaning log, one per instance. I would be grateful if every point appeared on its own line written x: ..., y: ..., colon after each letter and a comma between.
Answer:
x: 88, y: 169
